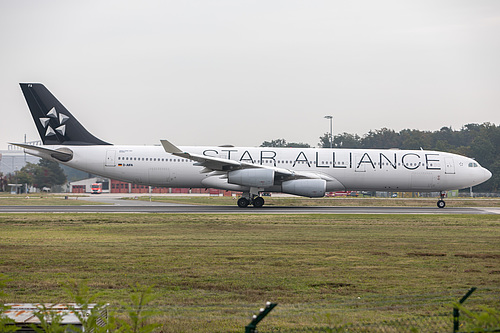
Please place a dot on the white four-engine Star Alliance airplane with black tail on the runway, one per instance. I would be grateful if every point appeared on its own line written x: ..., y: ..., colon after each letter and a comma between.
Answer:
x: 308, y: 172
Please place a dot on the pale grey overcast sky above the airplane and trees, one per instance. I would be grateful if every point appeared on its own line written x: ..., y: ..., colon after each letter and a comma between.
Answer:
x: 242, y: 72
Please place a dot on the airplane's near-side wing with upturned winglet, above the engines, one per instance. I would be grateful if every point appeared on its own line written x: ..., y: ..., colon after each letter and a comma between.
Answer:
x: 222, y: 164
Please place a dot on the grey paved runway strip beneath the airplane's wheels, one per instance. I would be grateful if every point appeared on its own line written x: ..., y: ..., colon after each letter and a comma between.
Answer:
x: 194, y: 209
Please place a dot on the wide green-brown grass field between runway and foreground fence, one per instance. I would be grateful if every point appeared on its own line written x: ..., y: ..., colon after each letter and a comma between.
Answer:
x: 212, y: 272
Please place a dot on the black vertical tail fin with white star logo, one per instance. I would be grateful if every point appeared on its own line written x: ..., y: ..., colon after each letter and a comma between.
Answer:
x: 55, y: 124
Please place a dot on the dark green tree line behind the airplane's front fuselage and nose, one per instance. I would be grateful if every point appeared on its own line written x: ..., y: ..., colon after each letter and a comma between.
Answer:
x: 478, y: 141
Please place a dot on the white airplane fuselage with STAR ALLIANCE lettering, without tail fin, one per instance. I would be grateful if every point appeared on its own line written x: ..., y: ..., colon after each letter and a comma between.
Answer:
x: 344, y: 169
